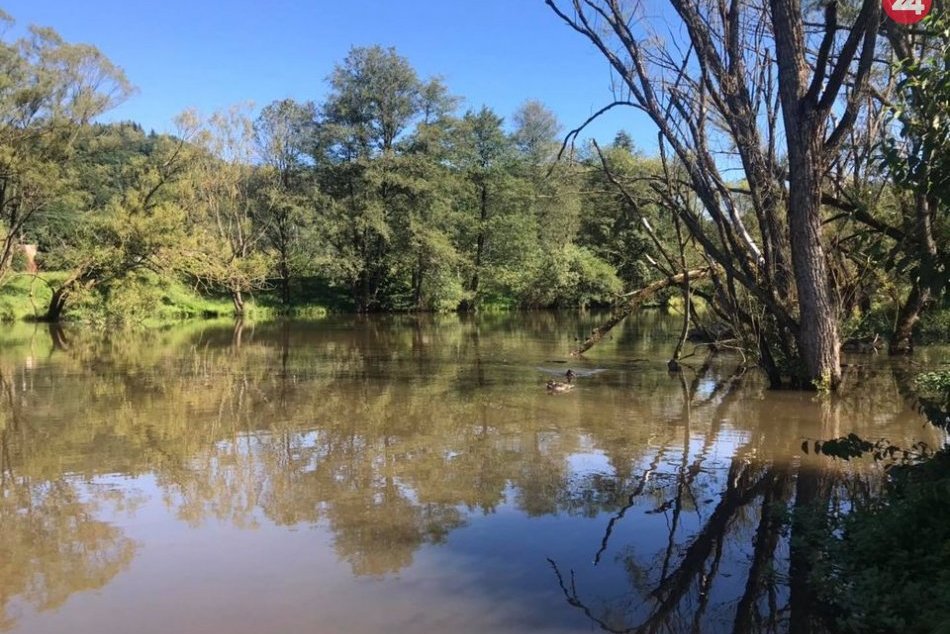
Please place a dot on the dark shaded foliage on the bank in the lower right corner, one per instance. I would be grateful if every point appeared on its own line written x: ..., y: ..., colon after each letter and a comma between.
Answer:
x: 885, y: 566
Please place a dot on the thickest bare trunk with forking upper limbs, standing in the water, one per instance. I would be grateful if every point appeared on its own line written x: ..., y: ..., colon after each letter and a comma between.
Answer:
x: 807, y: 97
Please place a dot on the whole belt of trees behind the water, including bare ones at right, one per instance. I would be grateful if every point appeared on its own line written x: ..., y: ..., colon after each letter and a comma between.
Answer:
x: 386, y: 197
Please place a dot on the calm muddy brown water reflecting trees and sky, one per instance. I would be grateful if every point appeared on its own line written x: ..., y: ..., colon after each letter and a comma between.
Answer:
x: 409, y: 475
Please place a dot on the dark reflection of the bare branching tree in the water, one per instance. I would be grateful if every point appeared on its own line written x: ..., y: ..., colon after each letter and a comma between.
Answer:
x: 755, y: 515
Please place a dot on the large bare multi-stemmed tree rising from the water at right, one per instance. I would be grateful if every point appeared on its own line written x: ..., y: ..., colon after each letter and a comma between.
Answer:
x: 761, y: 81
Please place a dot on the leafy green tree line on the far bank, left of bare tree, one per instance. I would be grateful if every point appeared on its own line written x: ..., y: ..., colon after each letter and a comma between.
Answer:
x: 383, y: 197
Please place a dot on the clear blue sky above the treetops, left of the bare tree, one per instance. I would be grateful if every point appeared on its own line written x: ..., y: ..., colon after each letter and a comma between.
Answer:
x: 211, y: 54
